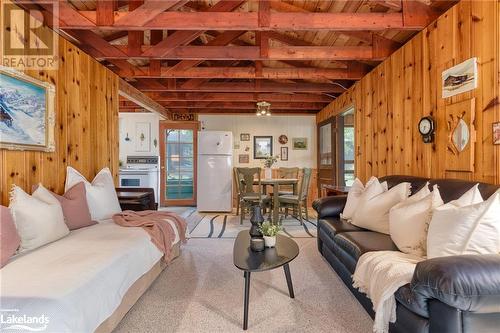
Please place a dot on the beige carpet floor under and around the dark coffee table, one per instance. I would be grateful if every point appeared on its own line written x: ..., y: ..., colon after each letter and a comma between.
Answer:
x: 202, y: 291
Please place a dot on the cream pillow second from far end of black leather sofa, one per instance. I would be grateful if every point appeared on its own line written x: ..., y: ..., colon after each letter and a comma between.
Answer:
x: 374, y: 205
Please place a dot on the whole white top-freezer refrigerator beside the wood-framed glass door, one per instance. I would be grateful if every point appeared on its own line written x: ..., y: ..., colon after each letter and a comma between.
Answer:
x: 215, y: 175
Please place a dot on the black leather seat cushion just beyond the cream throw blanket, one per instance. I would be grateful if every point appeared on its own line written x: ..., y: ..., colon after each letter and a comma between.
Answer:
x: 357, y: 243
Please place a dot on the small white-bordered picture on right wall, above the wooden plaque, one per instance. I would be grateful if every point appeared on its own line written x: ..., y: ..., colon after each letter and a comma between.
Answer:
x: 460, y: 78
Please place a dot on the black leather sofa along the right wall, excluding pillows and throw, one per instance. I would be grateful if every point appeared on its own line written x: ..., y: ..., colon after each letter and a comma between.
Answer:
x: 447, y: 295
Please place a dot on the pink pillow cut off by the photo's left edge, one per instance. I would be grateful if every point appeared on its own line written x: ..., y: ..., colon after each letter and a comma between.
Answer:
x: 9, y: 239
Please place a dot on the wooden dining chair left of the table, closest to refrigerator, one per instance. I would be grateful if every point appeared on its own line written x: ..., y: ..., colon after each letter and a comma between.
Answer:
x: 248, y: 196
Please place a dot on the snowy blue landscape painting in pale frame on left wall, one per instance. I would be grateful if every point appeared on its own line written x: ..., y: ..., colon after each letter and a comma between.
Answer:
x: 27, y: 115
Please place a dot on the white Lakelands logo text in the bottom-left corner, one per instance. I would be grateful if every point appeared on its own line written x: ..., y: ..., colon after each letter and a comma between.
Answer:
x: 12, y: 320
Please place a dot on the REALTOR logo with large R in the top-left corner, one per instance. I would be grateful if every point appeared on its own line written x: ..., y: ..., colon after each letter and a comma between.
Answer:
x: 28, y: 39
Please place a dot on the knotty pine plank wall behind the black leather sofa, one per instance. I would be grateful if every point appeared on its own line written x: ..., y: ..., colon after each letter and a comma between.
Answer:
x: 391, y: 99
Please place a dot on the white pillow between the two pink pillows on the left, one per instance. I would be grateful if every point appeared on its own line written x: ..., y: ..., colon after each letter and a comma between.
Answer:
x: 39, y: 217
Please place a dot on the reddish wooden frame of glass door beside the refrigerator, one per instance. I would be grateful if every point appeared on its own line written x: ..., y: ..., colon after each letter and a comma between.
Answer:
x: 166, y: 124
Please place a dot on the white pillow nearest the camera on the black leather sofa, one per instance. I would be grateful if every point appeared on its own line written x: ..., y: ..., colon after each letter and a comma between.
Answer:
x: 472, y: 229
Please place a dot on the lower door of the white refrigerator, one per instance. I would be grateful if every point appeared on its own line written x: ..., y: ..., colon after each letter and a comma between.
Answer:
x: 214, y: 183
